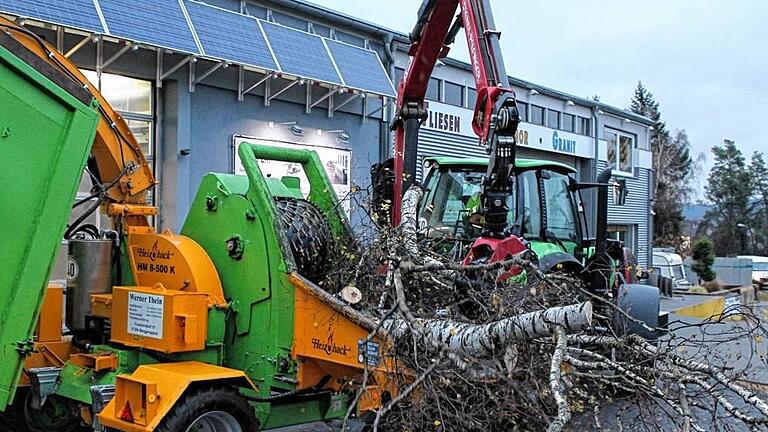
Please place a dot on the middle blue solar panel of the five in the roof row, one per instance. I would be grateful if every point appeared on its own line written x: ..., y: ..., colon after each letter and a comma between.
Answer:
x: 230, y: 36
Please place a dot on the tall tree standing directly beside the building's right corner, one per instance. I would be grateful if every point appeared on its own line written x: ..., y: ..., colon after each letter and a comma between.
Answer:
x: 674, y: 167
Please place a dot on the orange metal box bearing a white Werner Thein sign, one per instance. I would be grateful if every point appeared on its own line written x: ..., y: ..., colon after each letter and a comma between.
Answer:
x: 159, y: 319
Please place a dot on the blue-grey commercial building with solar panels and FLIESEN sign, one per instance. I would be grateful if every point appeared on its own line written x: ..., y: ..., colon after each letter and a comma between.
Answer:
x: 196, y: 79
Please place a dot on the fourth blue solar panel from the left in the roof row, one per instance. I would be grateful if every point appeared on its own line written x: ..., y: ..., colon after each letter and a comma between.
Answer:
x: 301, y: 54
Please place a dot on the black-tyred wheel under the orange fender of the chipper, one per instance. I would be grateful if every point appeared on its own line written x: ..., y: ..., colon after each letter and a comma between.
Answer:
x: 211, y: 410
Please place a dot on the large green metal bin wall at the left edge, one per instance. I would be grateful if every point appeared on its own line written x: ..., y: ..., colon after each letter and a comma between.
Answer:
x: 46, y: 133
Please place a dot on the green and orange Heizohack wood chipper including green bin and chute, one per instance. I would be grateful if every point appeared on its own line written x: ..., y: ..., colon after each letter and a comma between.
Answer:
x: 219, y: 328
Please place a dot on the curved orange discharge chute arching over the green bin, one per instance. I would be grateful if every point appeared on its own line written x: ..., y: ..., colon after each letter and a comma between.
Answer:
x: 117, y: 162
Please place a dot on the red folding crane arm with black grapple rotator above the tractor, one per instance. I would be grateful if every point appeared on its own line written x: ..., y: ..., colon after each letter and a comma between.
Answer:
x: 495, y: 116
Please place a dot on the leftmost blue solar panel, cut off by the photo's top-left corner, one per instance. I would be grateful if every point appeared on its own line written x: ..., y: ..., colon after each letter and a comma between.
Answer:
x: 71, y: 13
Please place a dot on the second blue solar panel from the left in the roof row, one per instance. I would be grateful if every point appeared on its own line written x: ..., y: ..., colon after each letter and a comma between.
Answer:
x: 157, y: 22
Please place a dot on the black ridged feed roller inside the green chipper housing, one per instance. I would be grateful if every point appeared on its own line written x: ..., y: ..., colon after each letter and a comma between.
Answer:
x: 309, y: 234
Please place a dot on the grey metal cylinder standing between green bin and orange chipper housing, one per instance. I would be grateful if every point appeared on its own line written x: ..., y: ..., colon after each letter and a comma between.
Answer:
x: 89, y: 269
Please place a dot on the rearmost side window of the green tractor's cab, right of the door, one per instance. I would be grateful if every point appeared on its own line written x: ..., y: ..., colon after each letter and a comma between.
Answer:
x: 561, y: 218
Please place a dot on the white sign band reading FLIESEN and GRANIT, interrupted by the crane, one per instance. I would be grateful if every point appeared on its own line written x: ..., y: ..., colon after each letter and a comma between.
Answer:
x: 458, y: 121
